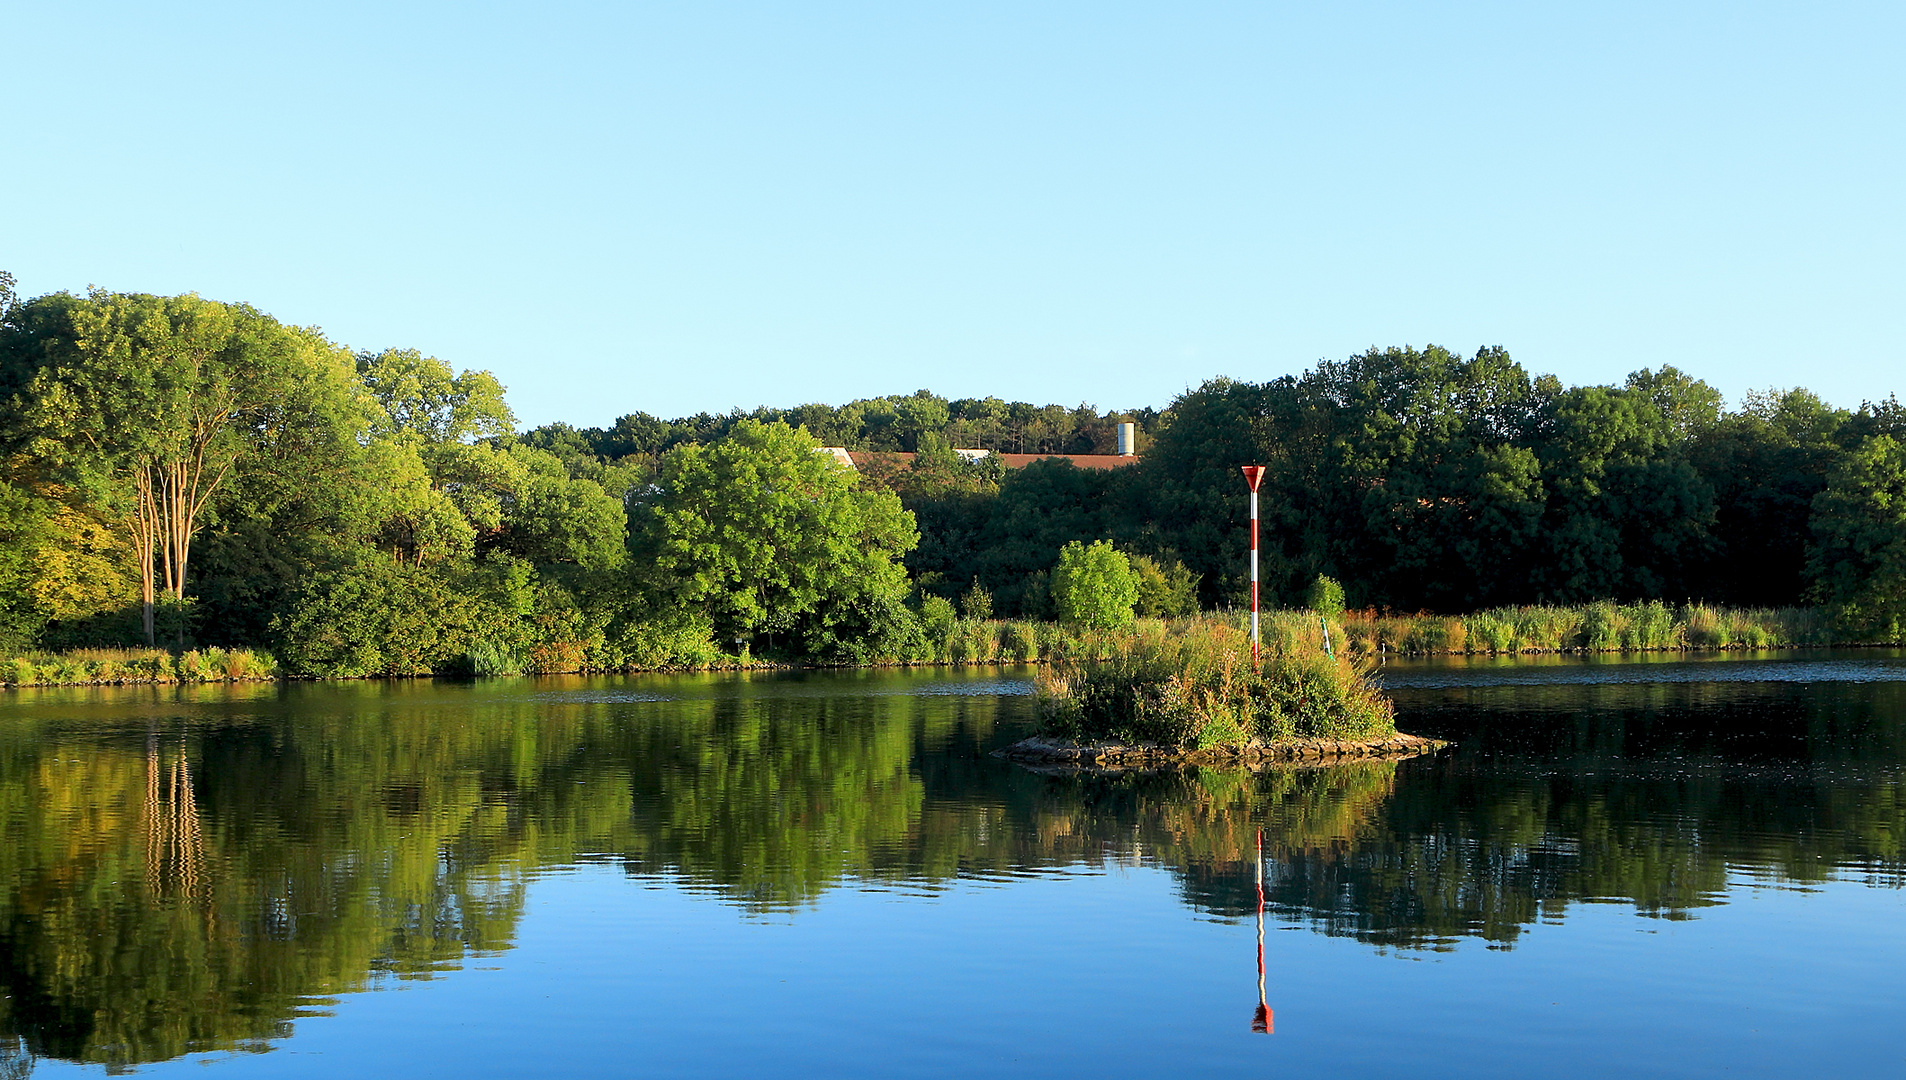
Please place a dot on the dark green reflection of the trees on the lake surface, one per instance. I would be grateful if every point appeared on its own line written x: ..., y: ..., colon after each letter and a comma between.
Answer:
x: 193, y: 871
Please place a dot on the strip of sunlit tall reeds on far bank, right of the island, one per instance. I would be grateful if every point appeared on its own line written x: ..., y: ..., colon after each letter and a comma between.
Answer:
x: 1591, y: 628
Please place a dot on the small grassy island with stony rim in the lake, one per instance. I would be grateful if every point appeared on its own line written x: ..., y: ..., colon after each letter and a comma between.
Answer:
x: 1190, y: 694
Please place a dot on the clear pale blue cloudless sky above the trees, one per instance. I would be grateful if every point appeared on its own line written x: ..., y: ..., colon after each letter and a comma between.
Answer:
x: 702, y: 207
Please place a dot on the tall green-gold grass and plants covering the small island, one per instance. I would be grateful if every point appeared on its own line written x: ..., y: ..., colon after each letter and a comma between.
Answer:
x: 1192, y: 685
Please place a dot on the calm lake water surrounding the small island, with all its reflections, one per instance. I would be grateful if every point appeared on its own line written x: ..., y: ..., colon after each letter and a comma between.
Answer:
x: 1646, y: 868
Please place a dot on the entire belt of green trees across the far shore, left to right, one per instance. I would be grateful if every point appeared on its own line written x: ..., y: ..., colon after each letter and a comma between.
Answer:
x: 193, y: 471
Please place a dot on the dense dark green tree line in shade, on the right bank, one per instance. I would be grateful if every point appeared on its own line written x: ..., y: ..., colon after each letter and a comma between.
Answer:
x: 1427, y: 481
